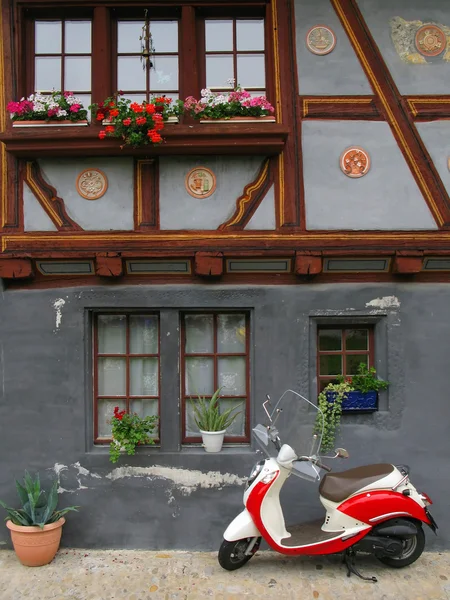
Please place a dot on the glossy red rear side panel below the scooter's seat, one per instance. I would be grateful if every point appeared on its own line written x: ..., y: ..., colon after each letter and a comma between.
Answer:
x: 378, y: 506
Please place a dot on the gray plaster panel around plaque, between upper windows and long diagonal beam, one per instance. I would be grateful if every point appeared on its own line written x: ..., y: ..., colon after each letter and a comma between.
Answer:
x: 339, y: 72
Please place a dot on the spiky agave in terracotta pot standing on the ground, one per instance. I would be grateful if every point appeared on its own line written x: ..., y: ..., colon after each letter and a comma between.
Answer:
x: 36, y: 527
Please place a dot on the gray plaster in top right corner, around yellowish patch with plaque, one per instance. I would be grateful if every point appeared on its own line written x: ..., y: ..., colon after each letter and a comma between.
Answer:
x: 429, y: 78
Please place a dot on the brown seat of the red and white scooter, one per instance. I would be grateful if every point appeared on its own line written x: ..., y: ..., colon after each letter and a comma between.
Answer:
x: 339, y: 486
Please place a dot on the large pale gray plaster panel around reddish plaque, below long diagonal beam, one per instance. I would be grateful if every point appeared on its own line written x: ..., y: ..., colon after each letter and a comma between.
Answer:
x: 387, y: 197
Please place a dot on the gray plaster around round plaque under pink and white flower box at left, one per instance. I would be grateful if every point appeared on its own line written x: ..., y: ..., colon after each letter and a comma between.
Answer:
x: 113, y: 211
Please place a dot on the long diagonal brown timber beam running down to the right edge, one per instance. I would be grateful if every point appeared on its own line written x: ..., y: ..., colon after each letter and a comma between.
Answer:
x: 406, y: 134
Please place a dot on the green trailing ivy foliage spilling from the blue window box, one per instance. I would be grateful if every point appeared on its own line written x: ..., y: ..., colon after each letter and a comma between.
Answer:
x: 364, y: 381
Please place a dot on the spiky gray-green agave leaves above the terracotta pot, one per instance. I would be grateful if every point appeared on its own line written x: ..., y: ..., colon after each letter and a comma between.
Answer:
x: 38, y: 507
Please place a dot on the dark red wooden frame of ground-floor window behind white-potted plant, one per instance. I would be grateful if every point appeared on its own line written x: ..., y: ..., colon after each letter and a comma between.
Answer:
x: 245, y: 439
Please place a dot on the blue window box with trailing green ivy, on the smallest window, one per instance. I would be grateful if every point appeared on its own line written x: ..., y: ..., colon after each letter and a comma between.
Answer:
x: 356, y: 393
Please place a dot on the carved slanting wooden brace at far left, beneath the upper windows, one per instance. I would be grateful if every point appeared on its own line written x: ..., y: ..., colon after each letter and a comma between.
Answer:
x: 48, y: 198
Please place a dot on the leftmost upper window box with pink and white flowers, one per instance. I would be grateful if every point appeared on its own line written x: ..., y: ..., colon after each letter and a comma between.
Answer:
x: 55, y: 109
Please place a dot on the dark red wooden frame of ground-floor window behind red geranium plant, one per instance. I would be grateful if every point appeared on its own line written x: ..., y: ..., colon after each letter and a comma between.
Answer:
x: 127, y: 397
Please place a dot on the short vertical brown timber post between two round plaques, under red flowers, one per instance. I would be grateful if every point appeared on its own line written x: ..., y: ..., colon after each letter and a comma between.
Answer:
x: 146, y: 194
